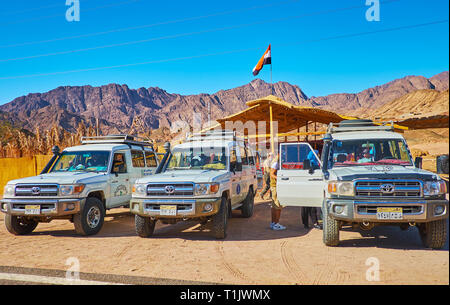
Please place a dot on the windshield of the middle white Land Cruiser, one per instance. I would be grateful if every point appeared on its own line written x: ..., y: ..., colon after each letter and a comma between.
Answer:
x: 199, y: 158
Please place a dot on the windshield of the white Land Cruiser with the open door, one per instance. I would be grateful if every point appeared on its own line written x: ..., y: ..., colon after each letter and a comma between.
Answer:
x: 370, y: 152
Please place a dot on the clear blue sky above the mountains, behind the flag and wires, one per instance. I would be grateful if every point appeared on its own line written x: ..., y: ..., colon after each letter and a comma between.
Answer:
x: 220, y: 42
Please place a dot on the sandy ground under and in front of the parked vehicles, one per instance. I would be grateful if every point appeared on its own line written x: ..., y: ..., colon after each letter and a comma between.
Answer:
x: 251, y: 254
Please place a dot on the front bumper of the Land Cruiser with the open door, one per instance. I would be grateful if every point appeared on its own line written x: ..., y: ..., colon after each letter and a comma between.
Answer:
x: 420, y: 210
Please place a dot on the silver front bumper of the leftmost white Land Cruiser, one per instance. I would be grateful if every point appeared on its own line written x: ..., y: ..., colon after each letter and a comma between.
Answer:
x: 48, y: 207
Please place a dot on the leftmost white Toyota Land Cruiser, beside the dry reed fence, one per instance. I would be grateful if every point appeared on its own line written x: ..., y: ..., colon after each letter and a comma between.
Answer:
x: 79, y: 184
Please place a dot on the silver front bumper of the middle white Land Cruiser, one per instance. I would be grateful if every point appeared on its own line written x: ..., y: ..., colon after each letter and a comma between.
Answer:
x: 186, y: 207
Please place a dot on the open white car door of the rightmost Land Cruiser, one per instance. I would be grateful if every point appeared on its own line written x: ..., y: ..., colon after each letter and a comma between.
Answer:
x: 299, y: 179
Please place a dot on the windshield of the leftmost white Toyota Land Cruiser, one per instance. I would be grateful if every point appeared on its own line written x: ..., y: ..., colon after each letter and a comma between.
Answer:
x: 82, y: 161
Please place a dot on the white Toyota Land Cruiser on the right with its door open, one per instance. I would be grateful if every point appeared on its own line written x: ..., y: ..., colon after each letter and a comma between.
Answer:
x: 366, y: 178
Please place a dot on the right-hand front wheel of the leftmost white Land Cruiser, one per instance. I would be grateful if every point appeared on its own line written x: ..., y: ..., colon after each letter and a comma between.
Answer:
x: 90, y: 220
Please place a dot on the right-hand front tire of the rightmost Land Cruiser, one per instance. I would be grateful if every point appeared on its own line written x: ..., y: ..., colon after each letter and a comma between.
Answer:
x: 434, y: 234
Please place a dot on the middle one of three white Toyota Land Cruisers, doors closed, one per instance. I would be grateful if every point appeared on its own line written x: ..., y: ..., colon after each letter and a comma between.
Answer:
x: 204, y: 179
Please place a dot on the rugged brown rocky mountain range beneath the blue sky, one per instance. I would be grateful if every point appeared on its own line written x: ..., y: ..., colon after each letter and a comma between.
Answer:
x: 116, y: 107
